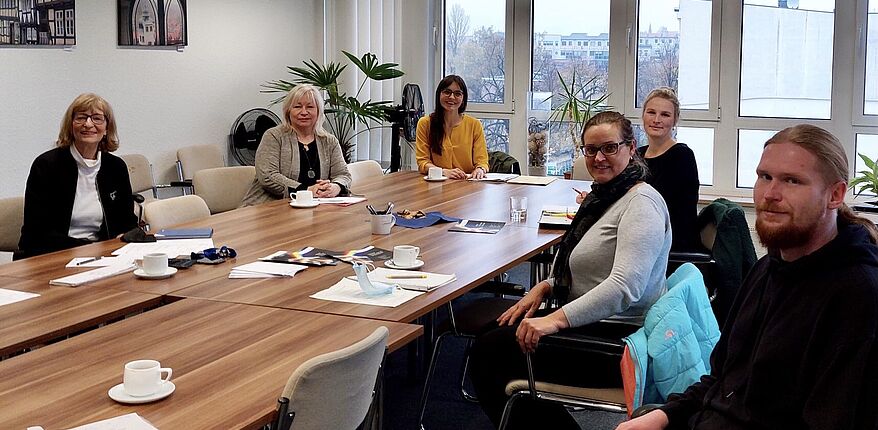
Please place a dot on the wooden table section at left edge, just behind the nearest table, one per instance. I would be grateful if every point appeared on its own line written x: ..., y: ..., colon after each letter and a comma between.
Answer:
x: 60, y: 311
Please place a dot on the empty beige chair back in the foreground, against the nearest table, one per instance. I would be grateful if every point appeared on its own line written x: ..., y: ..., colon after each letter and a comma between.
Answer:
x: 333, y: 390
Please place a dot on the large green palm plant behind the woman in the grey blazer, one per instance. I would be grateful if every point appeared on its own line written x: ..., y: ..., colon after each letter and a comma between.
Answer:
x: 344, y: 112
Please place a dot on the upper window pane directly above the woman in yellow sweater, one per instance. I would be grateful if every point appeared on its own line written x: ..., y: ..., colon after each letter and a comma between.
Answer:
x: 475, y: 47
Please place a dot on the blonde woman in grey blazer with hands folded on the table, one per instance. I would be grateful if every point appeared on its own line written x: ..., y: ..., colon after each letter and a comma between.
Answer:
x: 299, y: 154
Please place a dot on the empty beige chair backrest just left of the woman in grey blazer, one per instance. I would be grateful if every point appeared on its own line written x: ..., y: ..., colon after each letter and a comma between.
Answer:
x: 223, y: 188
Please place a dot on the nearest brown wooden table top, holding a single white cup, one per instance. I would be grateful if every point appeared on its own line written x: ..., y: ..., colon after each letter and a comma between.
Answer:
x: 230, y: 364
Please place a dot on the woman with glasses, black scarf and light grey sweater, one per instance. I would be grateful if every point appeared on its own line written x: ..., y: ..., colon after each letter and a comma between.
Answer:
x: 610, y: 264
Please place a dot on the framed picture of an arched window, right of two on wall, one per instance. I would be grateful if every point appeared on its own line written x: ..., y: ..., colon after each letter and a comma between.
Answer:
x: 152, y: 22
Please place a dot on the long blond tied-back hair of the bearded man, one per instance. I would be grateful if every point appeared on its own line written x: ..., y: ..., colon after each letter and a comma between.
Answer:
x: 831, y: 159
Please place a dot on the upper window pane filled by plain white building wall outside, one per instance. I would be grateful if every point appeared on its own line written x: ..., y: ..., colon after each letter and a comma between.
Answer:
x: 786, y: 59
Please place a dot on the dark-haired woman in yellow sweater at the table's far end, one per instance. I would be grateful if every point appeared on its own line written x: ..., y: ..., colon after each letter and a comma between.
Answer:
x: 457, y: 143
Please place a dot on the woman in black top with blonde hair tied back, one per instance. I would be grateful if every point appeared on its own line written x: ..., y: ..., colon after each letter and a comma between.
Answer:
x: 672, y: 167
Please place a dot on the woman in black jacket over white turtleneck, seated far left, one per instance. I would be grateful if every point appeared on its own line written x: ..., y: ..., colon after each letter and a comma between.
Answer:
x: 79, y: 192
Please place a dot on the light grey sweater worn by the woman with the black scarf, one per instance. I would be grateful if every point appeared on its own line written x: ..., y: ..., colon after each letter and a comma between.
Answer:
x: 618, y: 268
